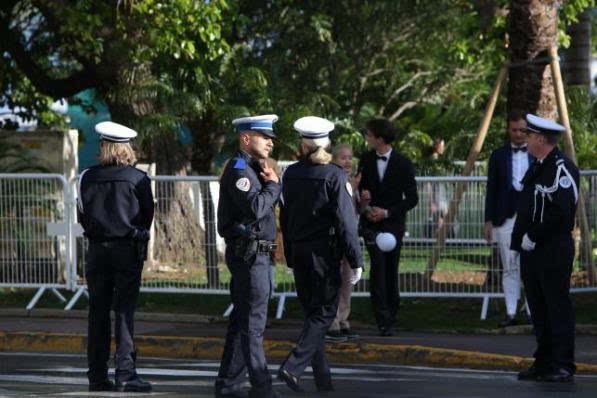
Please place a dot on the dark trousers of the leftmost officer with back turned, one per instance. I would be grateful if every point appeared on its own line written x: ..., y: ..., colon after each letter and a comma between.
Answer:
x: 113, y: 273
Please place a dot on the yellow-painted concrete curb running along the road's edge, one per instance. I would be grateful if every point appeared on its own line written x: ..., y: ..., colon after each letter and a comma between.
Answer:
x: 211, y: 348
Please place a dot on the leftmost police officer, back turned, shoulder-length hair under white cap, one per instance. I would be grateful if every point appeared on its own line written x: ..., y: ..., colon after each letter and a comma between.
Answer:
x: 115, y: 207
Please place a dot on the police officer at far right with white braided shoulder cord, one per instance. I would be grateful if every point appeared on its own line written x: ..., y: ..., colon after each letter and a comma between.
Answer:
x: 542, y: 235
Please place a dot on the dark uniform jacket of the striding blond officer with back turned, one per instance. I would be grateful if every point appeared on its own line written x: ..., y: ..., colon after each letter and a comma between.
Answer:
x: 317, y: 199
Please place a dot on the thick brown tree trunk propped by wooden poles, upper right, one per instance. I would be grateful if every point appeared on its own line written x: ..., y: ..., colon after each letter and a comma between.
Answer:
x: 532, y: 30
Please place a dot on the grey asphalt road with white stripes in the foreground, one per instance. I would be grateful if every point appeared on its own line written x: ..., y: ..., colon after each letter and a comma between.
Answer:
x: 52, y: 375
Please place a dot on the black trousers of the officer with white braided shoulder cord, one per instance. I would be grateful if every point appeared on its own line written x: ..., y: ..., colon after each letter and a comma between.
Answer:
x: 546, y: 274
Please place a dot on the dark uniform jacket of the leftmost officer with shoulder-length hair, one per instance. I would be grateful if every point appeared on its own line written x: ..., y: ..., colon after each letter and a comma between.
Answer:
x: 115, y: 202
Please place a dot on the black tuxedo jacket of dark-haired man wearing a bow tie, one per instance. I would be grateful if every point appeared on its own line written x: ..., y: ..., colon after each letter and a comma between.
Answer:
x: 397, y: 193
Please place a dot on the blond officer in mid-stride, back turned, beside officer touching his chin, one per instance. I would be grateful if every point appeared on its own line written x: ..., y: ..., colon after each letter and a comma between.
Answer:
x: 318, y: 224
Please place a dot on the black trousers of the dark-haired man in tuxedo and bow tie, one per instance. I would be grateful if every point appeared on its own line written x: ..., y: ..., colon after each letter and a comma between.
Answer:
x: 383, y: 283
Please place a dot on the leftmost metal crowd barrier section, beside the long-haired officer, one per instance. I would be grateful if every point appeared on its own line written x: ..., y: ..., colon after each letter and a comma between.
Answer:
x: 34, y: 233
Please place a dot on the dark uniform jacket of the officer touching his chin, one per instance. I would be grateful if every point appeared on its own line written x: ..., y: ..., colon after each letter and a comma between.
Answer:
x: 247, y: 206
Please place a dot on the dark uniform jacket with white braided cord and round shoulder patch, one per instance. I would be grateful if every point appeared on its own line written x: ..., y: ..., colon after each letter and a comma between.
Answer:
x: 548, y: 201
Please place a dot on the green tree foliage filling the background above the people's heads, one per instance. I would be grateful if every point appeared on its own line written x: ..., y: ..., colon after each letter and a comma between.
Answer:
x: 427, y: 66
